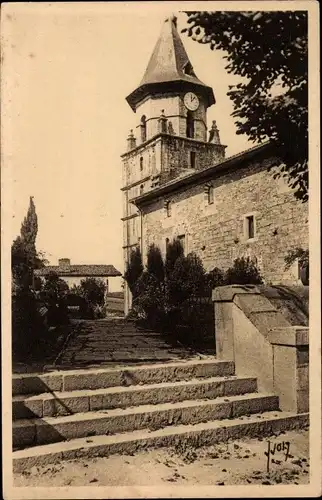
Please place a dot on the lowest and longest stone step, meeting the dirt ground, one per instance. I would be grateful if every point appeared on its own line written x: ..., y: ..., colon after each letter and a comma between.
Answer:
x: 202, y: 434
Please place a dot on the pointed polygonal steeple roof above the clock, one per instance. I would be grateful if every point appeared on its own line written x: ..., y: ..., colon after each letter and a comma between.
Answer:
x: 169, y: 66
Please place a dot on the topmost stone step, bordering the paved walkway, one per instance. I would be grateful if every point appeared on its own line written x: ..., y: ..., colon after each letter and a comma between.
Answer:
x: 109, y: 377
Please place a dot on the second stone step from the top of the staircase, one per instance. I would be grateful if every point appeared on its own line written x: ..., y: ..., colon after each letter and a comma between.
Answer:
x: 66, y: 403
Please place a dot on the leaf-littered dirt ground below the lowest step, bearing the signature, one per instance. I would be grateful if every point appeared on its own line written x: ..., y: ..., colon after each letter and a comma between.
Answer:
x: 241, y: 462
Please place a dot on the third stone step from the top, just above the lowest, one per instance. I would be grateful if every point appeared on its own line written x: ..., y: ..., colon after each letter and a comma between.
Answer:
x: 31, y: 432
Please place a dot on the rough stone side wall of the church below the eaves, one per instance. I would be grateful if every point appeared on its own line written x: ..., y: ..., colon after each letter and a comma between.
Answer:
x: 216, y: 232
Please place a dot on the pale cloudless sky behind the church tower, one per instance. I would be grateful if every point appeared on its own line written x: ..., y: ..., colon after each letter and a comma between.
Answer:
x: 68, y: 69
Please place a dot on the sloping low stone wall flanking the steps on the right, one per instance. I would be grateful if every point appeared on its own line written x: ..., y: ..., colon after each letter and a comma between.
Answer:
x: 261, y: 342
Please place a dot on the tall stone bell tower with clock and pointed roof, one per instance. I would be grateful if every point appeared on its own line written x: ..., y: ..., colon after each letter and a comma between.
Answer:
x: 170, y: 138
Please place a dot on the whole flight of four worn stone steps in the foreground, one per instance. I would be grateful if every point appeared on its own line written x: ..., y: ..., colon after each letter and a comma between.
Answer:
x: 85, y: 413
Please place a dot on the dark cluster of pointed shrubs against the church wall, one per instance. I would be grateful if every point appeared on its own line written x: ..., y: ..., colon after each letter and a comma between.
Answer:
x: 174, y: 296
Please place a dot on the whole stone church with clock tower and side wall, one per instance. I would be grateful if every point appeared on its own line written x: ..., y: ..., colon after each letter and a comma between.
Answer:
x: 178, y: 183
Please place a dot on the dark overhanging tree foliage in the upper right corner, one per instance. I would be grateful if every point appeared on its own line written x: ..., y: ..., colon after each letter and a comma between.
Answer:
x: 269, y: 50
